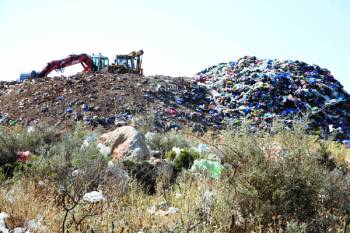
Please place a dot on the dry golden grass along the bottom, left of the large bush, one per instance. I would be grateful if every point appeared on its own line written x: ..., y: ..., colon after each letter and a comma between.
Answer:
x: 25, y: 200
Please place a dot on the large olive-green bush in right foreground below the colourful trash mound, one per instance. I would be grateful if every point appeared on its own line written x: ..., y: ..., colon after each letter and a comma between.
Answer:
x: 297, y: 189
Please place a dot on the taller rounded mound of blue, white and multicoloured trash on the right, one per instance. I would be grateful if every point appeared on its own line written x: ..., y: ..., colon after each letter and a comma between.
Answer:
x: 264, y: 90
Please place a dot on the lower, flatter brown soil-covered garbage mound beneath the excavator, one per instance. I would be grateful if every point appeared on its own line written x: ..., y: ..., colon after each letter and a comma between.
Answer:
x: 110, y: 100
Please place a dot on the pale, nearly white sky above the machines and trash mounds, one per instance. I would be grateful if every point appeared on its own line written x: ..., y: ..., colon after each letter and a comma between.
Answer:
x: 179, y: 37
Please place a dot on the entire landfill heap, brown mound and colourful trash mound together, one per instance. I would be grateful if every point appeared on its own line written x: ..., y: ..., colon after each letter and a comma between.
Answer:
x: 222, y: 96
